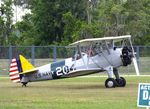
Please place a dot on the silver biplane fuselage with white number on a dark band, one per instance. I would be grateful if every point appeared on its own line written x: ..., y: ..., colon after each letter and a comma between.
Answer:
x: 64, y: 68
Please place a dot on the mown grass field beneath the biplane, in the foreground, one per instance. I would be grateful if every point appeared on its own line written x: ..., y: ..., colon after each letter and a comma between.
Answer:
x: 74, y: 93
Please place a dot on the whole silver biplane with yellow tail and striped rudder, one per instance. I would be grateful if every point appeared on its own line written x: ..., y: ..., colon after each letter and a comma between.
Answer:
x: 93, y: 55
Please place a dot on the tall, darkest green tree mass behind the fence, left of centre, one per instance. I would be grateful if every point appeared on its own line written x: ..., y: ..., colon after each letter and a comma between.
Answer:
x: 49, y: 22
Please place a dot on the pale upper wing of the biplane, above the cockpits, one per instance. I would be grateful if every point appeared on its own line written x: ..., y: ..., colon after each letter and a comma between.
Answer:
x: 86, y: 42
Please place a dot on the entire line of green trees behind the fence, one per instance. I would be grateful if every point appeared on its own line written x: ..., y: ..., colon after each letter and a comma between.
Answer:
x: 62, y: 22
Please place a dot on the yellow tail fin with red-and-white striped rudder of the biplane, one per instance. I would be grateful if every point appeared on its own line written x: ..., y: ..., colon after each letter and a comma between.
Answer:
x: 17, y: 65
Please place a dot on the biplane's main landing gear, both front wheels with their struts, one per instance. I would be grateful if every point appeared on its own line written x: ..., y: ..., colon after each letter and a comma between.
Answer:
x: 111, y: 82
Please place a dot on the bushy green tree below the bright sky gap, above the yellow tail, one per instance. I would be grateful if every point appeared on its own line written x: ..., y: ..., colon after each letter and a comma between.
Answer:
x: 24, y: 33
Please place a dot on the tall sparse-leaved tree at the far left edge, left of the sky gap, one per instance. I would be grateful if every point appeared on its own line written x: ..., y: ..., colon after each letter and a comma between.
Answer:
x: 6, y: 21
